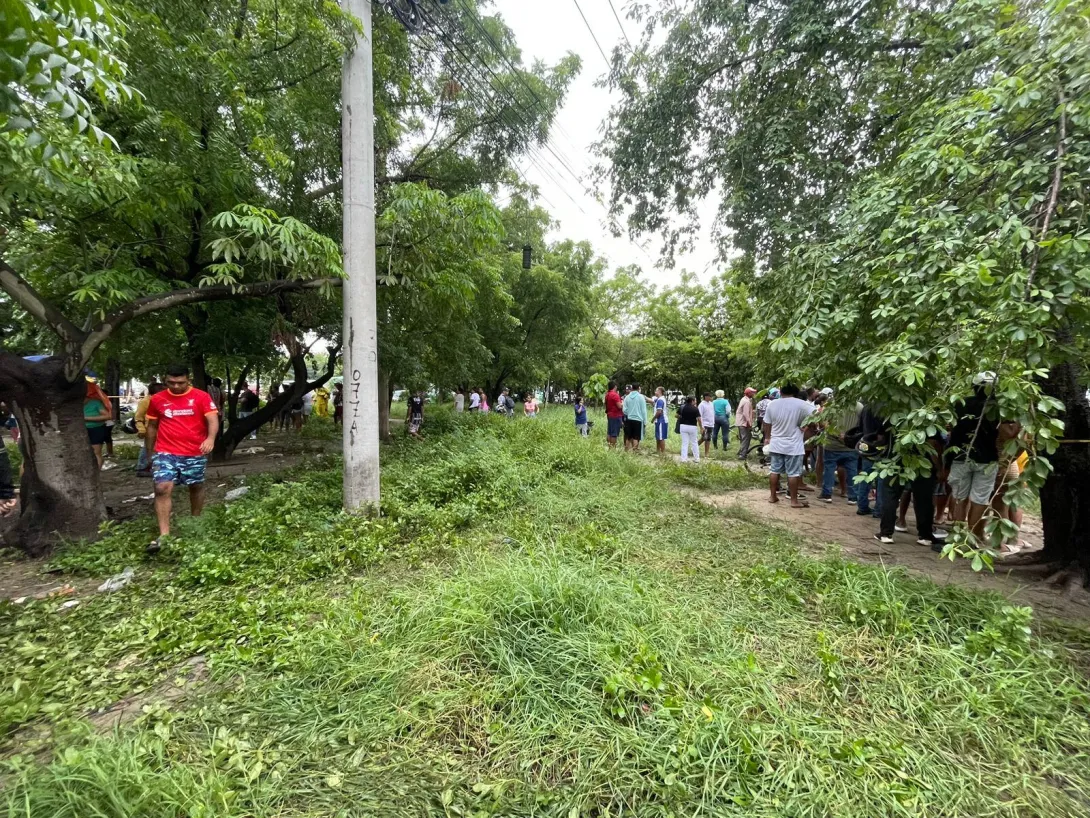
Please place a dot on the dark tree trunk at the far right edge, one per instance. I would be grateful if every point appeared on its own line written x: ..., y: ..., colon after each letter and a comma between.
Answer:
x: 1065, y: 510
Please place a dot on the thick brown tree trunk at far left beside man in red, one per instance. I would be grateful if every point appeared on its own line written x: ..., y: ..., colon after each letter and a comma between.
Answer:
x: 60, y: 492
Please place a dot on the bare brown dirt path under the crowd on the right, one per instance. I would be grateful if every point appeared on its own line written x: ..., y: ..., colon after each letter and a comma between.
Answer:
x: 838, y: 524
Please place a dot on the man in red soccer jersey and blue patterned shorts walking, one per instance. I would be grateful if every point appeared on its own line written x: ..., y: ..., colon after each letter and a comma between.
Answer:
x: 183, y: 423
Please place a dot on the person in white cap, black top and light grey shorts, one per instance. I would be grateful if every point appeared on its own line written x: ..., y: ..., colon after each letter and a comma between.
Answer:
x: 976, y: 460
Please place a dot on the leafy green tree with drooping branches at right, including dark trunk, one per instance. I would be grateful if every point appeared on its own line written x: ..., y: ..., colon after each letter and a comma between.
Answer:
x: 971, y: 252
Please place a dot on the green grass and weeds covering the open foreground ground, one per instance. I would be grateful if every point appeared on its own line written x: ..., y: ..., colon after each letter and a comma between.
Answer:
x: 537, y: 628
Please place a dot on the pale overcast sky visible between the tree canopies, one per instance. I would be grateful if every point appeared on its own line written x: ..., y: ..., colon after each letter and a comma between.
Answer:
x: 549, y: 30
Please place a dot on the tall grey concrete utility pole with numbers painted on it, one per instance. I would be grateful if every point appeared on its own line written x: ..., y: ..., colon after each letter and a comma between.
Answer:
x: 361, y: 321
